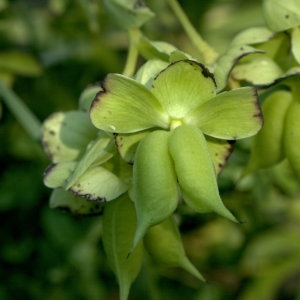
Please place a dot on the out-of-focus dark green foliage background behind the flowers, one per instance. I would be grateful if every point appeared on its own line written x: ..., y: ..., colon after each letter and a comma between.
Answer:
x: 49, y: 52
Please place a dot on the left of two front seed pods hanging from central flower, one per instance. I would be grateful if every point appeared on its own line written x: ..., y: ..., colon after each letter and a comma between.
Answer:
x: 155, y: 190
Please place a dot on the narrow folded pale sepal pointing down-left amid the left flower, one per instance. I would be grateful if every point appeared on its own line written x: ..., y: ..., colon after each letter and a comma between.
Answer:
x: 98, y: 152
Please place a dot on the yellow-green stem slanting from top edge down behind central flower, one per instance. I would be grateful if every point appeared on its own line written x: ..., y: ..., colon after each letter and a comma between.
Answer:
x: 208, y: 53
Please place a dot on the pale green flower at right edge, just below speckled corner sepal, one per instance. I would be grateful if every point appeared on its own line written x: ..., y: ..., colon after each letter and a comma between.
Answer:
x: 278, y: 60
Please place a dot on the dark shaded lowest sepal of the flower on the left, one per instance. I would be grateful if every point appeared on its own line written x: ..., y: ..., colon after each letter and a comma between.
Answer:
x: 78, y: 206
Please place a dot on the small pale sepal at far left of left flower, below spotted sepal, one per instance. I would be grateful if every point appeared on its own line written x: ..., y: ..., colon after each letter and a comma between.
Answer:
x: 56, y: 174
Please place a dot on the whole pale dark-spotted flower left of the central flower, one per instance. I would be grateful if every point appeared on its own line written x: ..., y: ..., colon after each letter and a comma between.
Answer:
x: 81, y: 168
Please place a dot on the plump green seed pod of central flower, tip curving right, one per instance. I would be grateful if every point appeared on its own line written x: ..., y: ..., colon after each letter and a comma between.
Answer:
x: 195, y: 171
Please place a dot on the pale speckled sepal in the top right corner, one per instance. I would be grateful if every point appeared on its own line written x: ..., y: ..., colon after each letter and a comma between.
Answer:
x: 281, y: 15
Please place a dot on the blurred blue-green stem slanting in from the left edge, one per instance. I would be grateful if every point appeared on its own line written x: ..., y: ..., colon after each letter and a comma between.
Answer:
x: 27, y: 119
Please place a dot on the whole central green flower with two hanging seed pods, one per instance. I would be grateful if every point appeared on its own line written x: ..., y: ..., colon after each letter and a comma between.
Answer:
x: 182, y: 127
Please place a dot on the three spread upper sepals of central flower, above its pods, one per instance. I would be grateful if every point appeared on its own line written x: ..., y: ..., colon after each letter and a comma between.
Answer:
x: 183, y: 93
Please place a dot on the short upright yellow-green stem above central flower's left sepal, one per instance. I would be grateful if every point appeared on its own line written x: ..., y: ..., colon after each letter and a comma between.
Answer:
x: 132, y: 56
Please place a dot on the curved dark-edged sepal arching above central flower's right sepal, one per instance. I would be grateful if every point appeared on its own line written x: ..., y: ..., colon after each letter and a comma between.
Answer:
x: 226, y: 63
